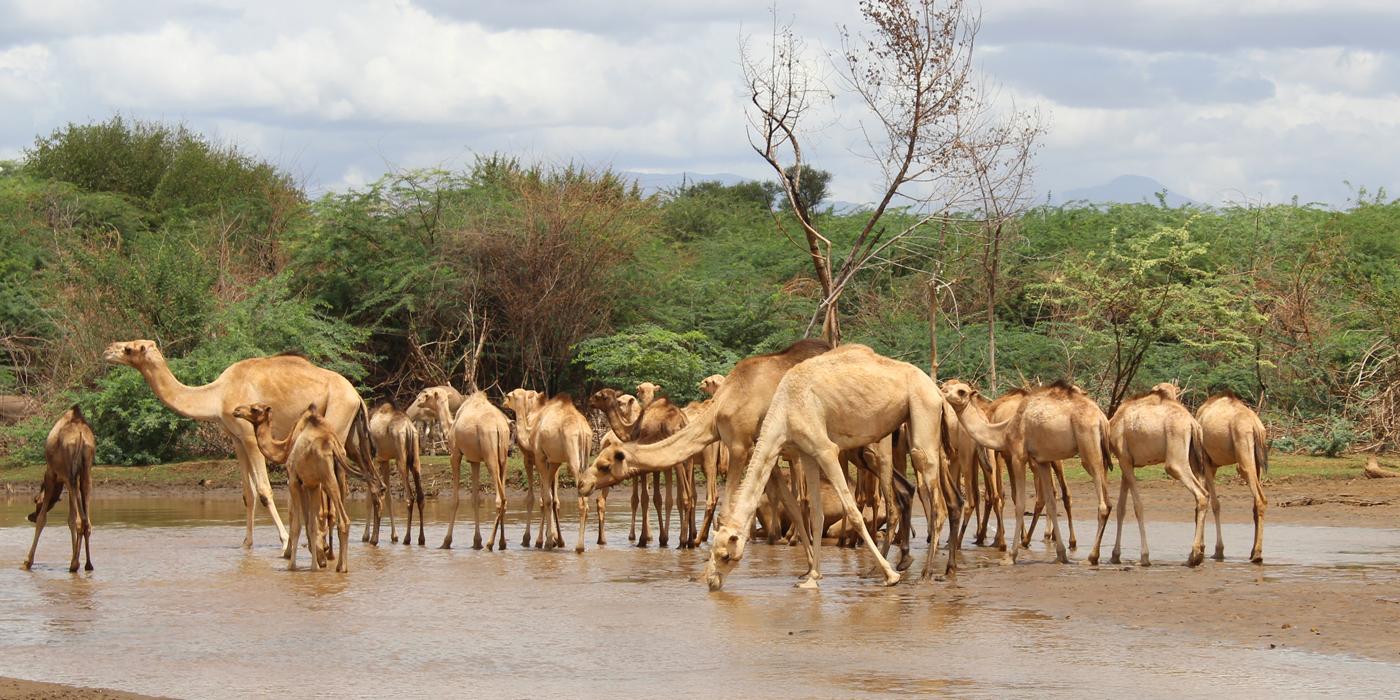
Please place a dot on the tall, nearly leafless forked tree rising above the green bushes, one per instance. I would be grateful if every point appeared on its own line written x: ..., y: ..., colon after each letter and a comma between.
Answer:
x: 912, y: 76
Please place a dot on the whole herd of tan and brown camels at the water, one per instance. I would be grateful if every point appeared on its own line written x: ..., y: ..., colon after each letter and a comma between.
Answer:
x: 821, y: 411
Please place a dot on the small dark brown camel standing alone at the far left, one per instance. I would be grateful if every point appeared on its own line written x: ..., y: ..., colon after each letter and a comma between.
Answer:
x: 68, y: 453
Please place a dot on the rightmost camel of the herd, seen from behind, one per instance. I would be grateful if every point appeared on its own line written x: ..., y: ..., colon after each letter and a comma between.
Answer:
x: 1235, y: 436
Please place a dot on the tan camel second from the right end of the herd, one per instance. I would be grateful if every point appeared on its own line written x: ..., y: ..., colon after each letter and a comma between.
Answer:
x: 1154, y: 429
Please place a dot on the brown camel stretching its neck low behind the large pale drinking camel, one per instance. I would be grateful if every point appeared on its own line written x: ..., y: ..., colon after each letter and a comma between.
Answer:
x: 738, y: 409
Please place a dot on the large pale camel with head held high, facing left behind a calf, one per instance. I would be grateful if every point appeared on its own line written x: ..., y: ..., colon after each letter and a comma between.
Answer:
x: 289, y: 384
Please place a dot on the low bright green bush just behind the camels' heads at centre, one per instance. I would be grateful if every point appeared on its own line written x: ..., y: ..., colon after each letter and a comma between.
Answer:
x: 646, y: 353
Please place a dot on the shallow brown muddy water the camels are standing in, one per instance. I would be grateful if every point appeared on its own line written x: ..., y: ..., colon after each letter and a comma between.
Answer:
x: 177, y: 607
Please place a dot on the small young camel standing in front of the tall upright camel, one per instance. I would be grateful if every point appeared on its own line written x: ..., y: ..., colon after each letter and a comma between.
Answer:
x: 317, y: 472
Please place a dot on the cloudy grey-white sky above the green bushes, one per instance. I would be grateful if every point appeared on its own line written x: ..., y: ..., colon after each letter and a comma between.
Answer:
x: 1244, y: 100
